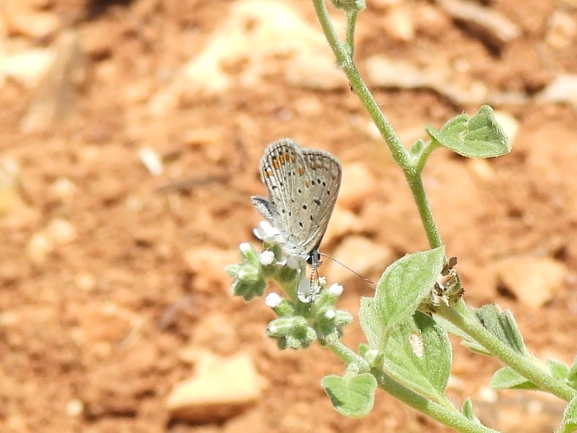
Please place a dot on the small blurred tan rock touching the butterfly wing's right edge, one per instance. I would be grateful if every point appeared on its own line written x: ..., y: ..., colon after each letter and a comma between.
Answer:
x: 357, y: 185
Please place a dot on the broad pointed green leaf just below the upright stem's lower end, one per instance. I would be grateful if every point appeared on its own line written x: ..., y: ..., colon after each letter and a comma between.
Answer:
x: 405, y: 284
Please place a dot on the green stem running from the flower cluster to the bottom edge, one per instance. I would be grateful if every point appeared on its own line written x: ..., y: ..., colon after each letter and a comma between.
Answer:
x: 445, y: 415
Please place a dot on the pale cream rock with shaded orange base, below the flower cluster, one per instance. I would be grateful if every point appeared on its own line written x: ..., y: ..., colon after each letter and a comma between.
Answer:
x: 219, y: 389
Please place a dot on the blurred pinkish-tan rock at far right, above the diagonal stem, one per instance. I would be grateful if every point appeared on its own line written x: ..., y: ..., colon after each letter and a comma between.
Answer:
x: 533, y: 280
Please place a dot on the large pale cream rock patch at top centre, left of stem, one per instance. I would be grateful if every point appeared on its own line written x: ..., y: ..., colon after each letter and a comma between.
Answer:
x: 250, y: 46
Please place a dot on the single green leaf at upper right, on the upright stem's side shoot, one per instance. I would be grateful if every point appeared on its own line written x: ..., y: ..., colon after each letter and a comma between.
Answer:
x: 479, y: 136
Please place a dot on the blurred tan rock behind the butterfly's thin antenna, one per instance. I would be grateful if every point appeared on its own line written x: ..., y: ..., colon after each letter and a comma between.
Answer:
x: 361, y: 255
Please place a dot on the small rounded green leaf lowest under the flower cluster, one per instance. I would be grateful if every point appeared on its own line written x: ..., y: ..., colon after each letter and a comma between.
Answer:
x: 351, y: 395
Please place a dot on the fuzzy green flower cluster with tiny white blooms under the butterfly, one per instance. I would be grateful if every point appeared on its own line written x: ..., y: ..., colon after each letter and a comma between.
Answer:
x: 307, y: 312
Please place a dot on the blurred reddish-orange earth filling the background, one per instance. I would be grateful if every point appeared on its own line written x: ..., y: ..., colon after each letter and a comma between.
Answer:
x: 105, y: 281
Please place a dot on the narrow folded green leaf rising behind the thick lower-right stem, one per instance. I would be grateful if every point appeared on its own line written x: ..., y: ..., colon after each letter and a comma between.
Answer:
x: 503, y: 326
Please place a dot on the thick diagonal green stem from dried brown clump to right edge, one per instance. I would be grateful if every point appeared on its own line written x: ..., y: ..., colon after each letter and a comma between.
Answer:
x: 525, y: 366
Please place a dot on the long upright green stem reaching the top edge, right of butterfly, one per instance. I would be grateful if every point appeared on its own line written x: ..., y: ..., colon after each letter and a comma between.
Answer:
x: 399, y: 153
